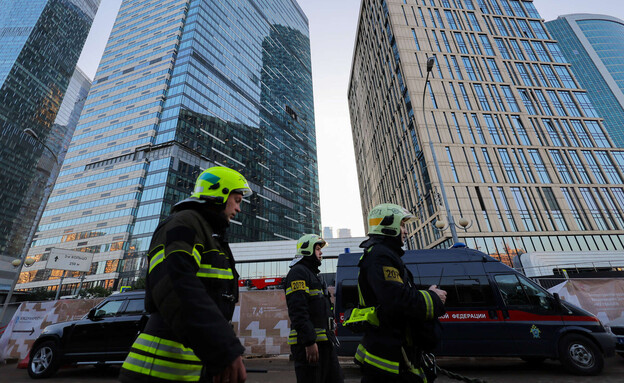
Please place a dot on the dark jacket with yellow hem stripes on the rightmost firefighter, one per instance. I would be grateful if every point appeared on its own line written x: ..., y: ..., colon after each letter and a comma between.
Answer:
x: 385, y: 282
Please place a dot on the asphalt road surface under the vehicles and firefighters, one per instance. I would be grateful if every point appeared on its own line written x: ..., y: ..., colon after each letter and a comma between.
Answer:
x: 281, y: 370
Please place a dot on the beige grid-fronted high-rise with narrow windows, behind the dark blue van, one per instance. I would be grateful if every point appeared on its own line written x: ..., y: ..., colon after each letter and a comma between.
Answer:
x: 521, y: 150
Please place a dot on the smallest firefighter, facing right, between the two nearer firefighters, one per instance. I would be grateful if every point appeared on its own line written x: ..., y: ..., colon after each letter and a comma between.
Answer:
x: 312, y: 339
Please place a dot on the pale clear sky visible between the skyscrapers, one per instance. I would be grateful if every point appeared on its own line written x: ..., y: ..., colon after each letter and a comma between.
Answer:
x: 332, y: 34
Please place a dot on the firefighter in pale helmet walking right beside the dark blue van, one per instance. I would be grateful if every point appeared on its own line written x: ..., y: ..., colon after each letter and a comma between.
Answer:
x: 390, y: 350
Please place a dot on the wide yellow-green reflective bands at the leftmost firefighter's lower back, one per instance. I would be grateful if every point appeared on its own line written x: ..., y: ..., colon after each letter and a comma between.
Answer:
x: 151, y: 359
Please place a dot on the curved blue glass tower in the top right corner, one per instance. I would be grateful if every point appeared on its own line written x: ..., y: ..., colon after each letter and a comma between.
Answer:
x: 594, y: 45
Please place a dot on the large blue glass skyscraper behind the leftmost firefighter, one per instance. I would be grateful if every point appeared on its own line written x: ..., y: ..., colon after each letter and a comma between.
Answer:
x: 184, y: 85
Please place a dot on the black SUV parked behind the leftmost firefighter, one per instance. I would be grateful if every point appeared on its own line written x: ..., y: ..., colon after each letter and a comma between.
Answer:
x: 102, y: 337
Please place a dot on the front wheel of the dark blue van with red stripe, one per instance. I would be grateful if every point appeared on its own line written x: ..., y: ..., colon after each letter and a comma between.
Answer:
x: 580, y: 355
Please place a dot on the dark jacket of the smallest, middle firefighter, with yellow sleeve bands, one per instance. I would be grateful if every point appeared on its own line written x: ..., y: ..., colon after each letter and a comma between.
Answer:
x: 309, y: 305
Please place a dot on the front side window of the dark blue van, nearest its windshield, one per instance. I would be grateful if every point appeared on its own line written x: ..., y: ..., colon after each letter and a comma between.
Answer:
x: 518, y: 291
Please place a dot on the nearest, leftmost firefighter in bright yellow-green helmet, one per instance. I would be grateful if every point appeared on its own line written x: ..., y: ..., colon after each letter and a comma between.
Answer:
x: 191, y: 290
